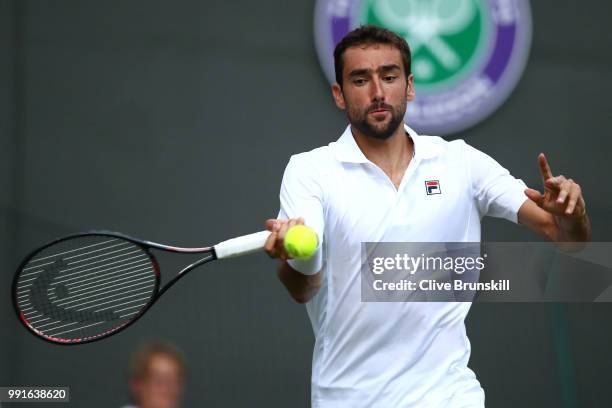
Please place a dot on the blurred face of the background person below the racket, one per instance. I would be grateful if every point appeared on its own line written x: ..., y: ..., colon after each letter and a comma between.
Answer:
x: 162, y: 385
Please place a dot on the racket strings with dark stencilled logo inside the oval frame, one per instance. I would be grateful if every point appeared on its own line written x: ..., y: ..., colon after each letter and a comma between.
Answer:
x: 85, y: 286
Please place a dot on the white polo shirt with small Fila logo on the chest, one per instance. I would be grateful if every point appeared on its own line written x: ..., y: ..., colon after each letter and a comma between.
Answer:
x: 391, y: 354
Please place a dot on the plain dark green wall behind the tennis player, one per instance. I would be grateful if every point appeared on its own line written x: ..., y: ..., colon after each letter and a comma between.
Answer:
x: 173, y: 121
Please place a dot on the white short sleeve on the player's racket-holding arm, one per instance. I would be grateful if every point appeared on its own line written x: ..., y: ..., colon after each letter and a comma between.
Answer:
x: 301, y: 195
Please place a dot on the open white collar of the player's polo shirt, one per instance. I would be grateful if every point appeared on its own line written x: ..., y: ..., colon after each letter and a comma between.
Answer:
x: 347, y: 150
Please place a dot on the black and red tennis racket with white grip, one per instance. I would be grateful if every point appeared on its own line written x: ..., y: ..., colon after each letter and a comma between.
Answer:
x: 89, y: 286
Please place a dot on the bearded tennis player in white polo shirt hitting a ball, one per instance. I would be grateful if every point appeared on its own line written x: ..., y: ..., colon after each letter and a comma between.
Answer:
x: 369, y: 187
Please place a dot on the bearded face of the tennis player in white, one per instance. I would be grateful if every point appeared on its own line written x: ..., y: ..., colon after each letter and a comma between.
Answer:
x: 375, y: 91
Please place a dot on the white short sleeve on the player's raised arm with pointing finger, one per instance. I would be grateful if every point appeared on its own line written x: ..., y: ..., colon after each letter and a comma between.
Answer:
x: 496, y: 192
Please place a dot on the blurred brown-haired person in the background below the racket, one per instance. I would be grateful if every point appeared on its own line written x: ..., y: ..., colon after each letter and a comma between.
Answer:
x: 156, y: 376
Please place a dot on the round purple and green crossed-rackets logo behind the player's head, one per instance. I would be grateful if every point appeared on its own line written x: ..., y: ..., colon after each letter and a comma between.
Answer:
x: 467, y: 55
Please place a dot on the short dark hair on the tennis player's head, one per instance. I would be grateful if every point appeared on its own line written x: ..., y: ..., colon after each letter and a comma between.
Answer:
x: 370, y: 34
